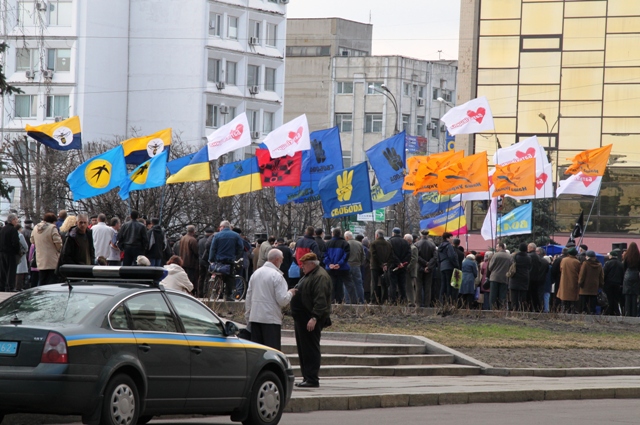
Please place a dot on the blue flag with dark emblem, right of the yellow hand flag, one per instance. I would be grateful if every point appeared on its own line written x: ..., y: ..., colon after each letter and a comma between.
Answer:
x: 388, y: 159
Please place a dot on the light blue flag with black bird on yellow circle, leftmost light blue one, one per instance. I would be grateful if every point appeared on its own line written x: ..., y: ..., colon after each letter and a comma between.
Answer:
x: 98, y: 175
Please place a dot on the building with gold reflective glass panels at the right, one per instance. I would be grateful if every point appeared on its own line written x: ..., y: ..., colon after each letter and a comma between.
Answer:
x: 568, y: 72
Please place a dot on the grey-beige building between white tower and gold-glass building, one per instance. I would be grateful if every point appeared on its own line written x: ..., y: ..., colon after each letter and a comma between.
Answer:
x: 333, y: 78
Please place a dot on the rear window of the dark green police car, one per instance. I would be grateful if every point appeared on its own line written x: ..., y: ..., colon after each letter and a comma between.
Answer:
x: 42, y: 306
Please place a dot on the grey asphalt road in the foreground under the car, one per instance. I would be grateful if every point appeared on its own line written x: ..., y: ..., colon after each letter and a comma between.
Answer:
x: 535, y: 413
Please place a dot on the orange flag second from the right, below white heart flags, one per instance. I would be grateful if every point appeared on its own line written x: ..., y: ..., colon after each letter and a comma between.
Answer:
x: 515, y: 179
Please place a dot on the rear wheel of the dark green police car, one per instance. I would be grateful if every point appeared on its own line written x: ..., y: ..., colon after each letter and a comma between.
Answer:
x: 121, y: 405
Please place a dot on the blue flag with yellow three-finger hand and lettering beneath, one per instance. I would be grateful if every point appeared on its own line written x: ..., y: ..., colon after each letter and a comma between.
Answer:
x: 346, y: 192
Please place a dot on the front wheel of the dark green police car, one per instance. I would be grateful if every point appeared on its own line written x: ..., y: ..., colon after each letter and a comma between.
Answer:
x: 266, y: 401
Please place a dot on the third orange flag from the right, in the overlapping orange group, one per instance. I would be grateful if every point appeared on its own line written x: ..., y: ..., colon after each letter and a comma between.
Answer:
x: 467, y: 175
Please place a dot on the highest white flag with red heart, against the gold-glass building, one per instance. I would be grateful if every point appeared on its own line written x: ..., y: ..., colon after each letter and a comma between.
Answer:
x: 472, y: 117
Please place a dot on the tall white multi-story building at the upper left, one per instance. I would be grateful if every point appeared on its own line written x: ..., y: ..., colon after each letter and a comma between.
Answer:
x: 134, y: 67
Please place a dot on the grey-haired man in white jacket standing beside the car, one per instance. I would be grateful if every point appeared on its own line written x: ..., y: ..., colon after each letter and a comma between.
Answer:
x: 266, y: 296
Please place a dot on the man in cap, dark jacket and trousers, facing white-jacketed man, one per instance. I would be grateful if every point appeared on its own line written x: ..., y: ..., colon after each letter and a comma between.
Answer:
x: 311, y: 308
